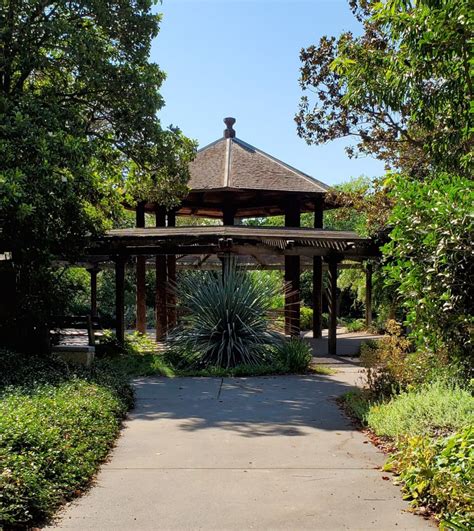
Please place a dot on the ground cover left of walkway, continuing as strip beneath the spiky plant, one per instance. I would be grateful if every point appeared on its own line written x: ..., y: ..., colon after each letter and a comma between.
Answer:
x: 58, y: 422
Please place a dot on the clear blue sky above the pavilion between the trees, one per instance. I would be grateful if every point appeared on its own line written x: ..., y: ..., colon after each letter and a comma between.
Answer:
x: 241, y: 58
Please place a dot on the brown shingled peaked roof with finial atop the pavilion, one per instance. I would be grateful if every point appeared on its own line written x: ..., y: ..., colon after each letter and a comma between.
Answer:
x: 232, y: 164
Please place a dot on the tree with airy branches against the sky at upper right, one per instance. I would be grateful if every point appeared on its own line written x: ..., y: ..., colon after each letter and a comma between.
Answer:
x: 403, y: 88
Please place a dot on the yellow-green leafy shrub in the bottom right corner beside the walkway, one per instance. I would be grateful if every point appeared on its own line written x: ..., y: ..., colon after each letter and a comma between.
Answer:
x: 439, y: 473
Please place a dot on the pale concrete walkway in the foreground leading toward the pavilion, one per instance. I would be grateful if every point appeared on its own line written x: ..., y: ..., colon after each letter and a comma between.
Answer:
x: 245, y: 453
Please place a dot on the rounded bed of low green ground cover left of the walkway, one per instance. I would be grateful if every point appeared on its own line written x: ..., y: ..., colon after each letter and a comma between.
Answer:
x: 57, y: 424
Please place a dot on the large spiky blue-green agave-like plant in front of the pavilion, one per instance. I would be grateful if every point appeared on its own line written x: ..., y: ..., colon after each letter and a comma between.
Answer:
x: 226, y: 320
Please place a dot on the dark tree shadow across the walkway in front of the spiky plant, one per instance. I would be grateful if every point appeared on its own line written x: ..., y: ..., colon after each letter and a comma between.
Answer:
x: 252, y: 407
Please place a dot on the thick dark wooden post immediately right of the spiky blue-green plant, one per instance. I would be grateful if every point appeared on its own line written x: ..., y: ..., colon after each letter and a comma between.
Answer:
x: 292, y: 277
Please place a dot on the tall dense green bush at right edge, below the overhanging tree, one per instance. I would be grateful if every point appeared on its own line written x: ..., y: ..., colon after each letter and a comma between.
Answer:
x: 430, y: 260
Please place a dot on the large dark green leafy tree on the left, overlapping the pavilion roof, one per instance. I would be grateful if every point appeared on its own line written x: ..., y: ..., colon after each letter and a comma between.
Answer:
x: 79, y: 134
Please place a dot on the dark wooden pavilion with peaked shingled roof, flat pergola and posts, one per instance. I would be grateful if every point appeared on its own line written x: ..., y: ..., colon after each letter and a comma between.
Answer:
x: 232, y: 180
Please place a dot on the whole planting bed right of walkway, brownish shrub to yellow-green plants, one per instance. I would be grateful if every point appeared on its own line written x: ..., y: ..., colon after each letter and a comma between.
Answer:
x: 424, y: 408
